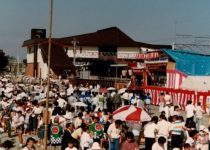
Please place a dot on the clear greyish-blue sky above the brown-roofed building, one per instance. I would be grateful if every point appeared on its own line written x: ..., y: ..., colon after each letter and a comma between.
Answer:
x: 151, y: 21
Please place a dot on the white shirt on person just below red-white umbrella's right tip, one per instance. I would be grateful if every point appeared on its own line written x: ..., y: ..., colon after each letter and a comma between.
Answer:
x: 149, y: 130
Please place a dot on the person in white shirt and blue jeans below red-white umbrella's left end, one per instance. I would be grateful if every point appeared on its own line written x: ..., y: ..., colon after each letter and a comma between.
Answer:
x: 114, y: 134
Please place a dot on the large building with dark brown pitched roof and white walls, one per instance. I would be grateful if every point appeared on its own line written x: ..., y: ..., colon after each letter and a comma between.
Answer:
x: 104, y: 53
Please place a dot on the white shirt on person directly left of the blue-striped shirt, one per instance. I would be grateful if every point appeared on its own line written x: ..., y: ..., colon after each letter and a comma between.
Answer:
x: 163, y: 128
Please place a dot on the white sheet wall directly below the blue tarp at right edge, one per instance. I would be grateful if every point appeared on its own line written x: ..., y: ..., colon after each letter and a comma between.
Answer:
x: 196, y: 83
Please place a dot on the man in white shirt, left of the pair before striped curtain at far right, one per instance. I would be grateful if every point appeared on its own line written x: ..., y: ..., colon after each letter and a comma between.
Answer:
x: 189, y: 112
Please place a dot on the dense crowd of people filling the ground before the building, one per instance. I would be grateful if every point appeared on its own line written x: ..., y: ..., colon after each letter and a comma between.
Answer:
x: 80, y: 117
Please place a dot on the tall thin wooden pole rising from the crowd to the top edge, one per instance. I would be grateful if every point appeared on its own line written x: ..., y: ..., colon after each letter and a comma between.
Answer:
x: 48, y: 76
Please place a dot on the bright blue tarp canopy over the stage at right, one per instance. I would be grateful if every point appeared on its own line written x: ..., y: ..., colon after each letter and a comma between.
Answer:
x: 190, y: 62
